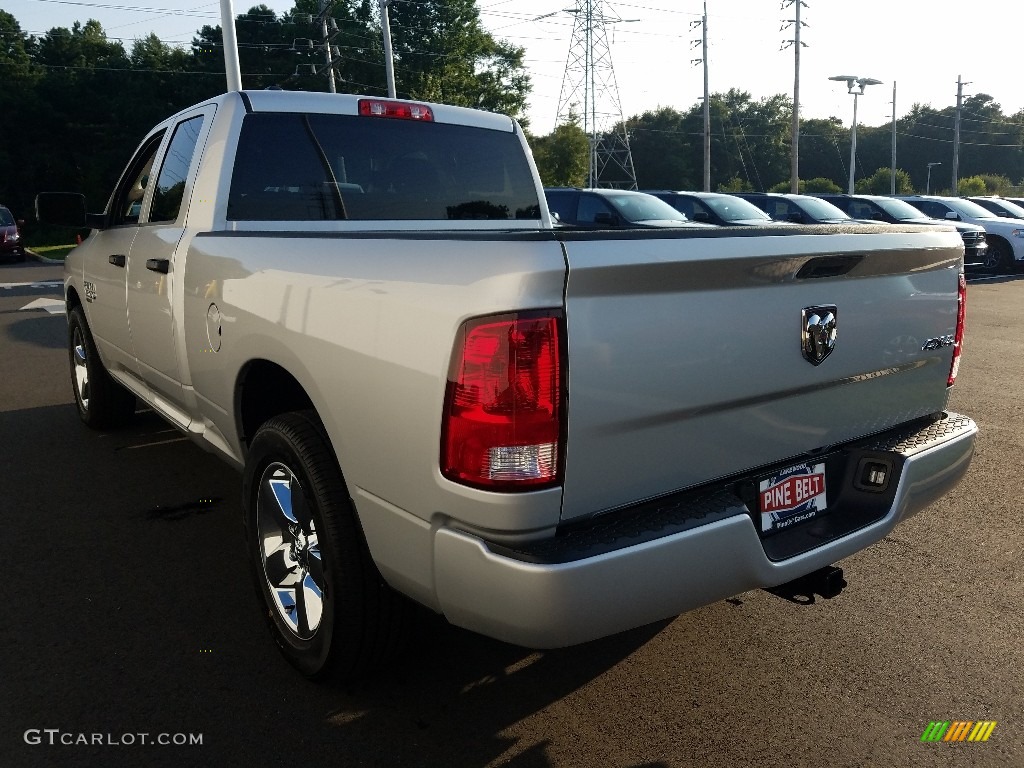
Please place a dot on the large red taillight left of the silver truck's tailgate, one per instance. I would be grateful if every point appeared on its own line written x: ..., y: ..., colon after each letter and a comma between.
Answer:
x: 502, y: 428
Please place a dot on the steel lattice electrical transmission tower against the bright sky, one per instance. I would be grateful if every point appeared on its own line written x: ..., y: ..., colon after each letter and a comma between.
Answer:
x: 589, y: 88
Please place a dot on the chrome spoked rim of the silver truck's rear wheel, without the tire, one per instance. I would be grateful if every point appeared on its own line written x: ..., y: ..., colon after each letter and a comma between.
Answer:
x: 290, y: 548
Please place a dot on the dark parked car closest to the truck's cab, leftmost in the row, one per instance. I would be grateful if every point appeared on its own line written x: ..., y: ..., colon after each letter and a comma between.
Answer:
x: 613, y: 208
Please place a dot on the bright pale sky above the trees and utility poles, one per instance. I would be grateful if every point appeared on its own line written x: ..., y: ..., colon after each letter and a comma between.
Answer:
x: 923, y: 52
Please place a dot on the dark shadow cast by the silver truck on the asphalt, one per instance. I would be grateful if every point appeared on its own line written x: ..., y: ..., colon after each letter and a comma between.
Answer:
x: 140, y: 617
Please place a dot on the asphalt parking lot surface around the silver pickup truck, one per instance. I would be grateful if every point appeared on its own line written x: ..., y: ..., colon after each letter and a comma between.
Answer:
x: 130, y: 611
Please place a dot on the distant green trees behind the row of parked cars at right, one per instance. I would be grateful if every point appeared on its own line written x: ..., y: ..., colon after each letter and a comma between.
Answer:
x: 750, y: 149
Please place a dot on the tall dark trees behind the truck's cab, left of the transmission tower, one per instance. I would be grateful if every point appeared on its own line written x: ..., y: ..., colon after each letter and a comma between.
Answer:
x: 78, y: 103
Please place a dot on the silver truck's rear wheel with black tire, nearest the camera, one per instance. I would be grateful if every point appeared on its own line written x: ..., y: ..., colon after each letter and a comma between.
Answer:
x: 314, y: 546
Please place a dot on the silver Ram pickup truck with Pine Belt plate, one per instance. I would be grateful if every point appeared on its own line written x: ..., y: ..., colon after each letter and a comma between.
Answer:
x: 548, y: 436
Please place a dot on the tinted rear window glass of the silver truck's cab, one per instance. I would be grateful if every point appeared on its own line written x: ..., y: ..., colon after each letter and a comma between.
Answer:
x: 293, y: 167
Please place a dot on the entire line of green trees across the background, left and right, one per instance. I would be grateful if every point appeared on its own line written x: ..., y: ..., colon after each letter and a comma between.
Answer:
x: 77, y: 104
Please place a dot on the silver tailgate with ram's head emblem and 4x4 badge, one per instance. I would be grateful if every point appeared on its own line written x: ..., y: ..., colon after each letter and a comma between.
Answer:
x: 687, y: 360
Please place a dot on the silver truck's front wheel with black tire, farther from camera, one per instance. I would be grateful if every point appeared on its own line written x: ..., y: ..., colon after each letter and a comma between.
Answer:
x: 102, y: 403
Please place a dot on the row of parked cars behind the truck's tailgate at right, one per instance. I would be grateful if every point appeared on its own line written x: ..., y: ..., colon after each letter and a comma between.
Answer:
x: 993, y: 229
